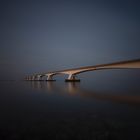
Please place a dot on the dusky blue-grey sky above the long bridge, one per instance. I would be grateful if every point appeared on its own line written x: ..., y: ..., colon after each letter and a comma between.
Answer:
x: 39, y: 36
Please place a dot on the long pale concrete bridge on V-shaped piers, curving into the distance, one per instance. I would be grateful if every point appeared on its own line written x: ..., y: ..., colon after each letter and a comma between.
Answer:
x: 72, y: 73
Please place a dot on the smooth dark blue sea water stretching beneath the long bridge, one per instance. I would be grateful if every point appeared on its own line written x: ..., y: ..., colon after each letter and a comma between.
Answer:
x: 104, y: 105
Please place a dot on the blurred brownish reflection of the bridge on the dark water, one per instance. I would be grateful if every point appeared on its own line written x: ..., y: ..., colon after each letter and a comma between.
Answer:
x: 74, y: 89
